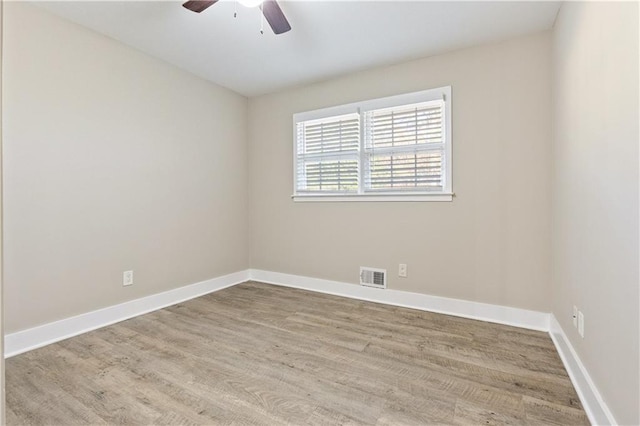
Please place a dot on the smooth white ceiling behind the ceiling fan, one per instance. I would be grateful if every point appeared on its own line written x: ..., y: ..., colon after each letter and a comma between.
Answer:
x: 328, y: 38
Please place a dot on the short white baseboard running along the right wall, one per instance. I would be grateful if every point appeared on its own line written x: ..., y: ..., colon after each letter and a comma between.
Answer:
x: 595, y: 407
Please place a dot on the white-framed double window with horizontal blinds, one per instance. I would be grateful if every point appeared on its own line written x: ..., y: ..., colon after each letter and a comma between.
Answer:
x: 395, y: 149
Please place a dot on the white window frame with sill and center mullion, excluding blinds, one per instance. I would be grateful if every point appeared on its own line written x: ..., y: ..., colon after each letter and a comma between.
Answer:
x: 441, y: 93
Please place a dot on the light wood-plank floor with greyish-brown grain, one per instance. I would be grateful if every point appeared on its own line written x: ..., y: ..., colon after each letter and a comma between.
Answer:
x: 262, y: 354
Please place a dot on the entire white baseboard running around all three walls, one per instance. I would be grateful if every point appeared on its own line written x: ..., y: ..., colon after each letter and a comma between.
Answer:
x: 596, y: 409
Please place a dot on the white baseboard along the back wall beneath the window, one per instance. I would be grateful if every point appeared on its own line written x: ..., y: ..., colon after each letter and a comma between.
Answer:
x: 462, y: 308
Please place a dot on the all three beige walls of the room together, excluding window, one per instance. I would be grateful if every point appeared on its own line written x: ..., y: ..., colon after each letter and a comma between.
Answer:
x: 114, y: 161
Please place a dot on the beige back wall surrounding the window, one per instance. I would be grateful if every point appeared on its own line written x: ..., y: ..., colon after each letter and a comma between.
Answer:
x: 491, y: 244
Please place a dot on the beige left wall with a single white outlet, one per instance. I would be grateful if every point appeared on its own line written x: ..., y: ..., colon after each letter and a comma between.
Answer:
x: 113, y: 161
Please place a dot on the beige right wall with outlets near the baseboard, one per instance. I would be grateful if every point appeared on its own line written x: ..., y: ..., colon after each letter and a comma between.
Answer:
x: 595, y: 194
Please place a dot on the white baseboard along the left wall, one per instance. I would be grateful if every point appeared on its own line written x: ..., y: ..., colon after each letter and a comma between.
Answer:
x: 36, y: 337
